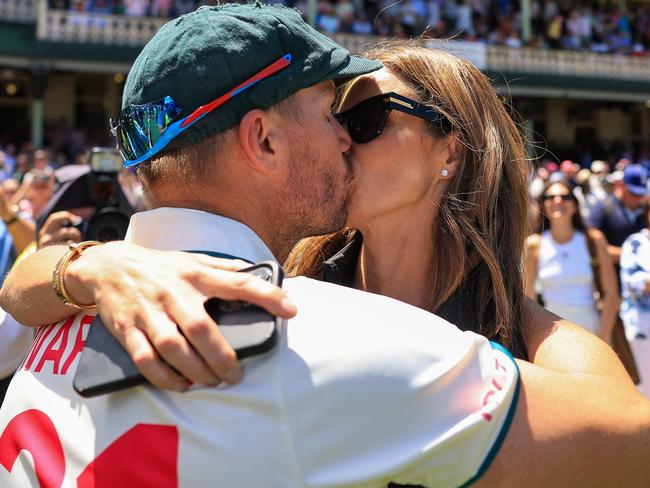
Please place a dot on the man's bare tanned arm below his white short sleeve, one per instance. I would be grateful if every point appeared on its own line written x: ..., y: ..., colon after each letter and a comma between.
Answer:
x: 574, y: 430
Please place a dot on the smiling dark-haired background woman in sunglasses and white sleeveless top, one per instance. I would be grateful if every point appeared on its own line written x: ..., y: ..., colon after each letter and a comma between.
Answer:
x: 560, y: 259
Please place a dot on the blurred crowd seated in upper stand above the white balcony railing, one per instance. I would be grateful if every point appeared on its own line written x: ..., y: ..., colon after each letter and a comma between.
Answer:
x: 602, y: 27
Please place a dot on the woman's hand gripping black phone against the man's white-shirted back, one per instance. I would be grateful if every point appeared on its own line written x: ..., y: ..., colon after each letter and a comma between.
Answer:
x: 153, y: 303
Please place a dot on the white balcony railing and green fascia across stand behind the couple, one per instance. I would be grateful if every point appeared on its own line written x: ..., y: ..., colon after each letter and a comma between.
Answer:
x: 524, y: 71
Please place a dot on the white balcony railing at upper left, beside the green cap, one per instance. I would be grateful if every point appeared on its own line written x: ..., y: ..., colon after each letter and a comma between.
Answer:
x: 92, y: 28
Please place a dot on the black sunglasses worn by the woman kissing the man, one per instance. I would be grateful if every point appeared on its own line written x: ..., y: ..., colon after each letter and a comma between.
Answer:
x: 366, y: 120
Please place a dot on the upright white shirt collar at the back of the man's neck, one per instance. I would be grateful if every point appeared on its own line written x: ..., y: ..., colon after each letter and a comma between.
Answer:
x: 174, y: 229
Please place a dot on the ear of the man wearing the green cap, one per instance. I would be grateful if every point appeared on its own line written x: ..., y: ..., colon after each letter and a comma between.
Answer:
x: 258, y: 139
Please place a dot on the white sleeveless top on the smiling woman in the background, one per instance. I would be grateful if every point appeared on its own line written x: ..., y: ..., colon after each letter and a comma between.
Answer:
x: 565, y: 272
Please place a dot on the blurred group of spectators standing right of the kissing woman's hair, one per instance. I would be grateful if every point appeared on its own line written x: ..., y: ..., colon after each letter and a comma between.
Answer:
x: 574, y: 209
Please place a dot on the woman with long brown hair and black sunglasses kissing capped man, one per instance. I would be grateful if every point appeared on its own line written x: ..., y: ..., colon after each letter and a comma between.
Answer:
x: 437, y: 218
